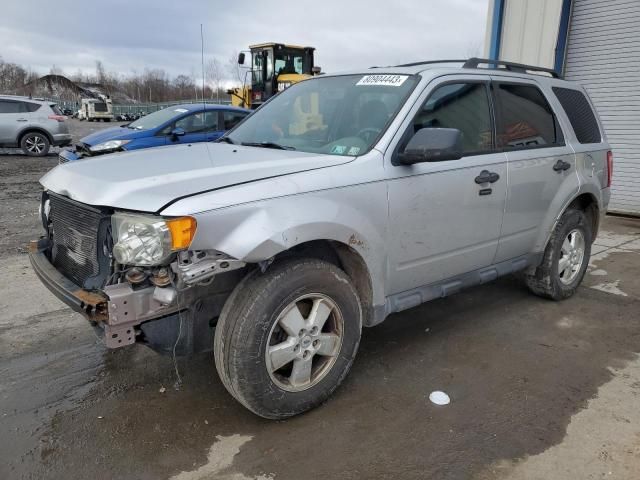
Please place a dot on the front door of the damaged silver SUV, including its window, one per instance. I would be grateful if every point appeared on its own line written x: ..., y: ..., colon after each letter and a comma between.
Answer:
x: 444, y: 219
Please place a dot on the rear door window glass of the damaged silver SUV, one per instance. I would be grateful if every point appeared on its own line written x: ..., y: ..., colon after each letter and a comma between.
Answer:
x: 525, y: 118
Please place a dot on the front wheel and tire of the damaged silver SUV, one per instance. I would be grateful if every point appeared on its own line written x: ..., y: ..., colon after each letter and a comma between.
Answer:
x: 264, y: 311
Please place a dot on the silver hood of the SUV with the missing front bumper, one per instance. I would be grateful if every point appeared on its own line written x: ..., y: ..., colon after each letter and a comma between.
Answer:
x: 148, y: 179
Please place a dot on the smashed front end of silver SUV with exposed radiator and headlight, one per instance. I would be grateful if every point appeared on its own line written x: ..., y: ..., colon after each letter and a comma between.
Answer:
x: 123, y: 269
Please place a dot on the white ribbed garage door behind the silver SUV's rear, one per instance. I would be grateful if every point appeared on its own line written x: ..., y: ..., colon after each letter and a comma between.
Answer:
x: 603, y: 54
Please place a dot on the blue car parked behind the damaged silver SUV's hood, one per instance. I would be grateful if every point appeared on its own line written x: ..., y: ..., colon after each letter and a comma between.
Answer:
x: 188, y: 123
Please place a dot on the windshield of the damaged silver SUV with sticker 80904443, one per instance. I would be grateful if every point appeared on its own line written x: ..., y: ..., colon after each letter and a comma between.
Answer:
x: 341, y: 115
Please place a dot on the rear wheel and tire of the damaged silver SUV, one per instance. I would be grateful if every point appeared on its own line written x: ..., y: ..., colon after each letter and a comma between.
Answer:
x: 562, y: 269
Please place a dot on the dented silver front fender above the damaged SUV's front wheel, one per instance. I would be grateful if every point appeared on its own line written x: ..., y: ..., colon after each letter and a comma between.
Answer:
x: 254, y: 232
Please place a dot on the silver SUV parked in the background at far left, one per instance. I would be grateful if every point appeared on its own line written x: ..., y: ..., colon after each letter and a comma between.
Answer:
x: 32, y: 125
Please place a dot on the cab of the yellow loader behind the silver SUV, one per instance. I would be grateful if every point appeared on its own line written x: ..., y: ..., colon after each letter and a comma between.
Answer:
x: 275, y: 66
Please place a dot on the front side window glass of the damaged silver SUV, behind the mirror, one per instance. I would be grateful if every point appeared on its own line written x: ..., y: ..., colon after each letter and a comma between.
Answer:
x: 464, y: 106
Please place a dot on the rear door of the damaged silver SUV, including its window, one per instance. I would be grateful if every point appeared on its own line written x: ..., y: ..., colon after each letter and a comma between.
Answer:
x: 541, y: 164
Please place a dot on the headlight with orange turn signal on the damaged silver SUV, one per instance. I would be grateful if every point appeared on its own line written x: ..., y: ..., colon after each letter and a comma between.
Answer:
x: 147, y: 240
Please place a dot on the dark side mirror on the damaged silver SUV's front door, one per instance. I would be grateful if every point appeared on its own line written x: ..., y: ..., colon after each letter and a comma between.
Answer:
x: 432, y: 145
